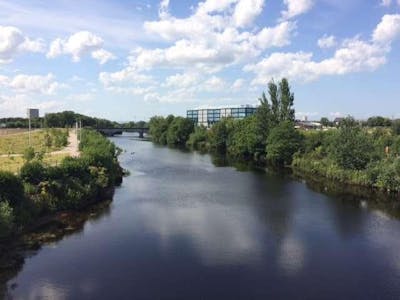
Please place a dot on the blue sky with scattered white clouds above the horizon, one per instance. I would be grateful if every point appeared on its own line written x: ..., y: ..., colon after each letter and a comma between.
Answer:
x: 131, y: 59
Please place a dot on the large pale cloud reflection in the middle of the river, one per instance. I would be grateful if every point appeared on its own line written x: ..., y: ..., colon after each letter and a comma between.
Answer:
x: 220, y: 235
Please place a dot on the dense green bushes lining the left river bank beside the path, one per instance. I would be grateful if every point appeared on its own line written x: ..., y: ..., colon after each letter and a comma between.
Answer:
x: 41, y: 189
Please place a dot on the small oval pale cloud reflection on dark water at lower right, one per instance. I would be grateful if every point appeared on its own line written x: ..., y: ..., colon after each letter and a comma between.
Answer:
x: 291, y: 255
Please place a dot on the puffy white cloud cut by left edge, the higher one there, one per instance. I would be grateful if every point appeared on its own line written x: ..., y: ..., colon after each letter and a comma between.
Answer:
x: 13, y: 41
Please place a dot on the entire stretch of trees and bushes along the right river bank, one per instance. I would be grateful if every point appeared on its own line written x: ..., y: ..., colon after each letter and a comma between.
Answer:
x: 359, y: 153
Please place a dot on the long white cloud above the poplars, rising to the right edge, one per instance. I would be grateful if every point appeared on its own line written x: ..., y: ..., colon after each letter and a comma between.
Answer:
x: 354, y: 55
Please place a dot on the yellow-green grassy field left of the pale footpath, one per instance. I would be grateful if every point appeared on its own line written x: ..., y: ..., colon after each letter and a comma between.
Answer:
x: 17, y: 143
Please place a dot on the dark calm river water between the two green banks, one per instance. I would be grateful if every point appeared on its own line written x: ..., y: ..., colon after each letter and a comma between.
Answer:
x: 181, y: 228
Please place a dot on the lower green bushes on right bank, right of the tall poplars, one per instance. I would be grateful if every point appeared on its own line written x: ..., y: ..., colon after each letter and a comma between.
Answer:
x: 354, y: 155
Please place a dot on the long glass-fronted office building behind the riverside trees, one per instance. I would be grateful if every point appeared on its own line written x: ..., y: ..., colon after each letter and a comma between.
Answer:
x: 207, y: 116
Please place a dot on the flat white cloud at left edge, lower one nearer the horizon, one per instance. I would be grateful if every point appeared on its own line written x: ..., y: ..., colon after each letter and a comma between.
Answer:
x: 39, y: 84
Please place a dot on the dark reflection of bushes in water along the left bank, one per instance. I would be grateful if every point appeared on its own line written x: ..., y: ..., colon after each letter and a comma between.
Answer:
x: 13, y: 254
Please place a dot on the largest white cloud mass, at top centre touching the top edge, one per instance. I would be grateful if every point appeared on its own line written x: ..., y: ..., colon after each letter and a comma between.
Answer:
x: 212, y: 37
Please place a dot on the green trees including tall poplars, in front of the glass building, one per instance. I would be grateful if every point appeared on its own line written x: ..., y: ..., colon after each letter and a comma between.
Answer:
x: 269, y: 134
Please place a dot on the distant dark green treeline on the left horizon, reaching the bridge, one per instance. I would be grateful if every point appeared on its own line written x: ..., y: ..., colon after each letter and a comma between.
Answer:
x: 67, y: 119
